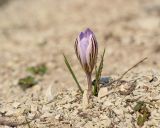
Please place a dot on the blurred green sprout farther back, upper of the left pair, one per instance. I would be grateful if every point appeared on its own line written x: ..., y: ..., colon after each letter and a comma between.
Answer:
x: 38, y: 70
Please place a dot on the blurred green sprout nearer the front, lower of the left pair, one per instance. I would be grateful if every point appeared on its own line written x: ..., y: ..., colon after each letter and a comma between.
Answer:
x: 27, y: 82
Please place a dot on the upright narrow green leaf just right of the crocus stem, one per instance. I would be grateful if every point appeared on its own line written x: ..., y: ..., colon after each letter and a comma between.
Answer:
x: 98, y: 74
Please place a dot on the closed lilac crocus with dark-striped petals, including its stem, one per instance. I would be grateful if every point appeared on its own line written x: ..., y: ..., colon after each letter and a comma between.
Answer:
x: 86, y: 48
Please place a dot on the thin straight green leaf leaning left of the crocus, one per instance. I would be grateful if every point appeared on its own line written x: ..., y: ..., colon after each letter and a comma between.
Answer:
x: 72, y: 73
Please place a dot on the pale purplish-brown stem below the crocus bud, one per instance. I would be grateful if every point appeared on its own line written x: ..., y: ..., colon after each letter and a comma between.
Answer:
x: 89, y: 80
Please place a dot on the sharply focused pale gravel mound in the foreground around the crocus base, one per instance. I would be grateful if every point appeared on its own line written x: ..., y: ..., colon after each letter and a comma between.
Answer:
x: 110, y: 109
